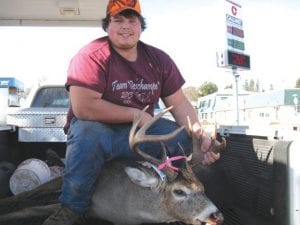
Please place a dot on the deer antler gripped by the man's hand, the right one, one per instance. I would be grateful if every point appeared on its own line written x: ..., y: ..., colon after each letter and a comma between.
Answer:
x: 197, y: 153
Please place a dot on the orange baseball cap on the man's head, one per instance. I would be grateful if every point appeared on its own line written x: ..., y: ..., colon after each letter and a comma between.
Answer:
x: 116, y: 6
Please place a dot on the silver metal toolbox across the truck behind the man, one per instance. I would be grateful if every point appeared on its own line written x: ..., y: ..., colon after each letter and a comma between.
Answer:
x: 39, y: 124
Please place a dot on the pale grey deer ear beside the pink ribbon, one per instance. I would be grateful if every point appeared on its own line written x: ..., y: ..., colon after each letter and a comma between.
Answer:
x: 141, y: 178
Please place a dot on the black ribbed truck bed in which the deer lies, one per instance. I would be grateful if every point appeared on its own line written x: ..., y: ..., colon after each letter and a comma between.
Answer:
x: 248, y: 184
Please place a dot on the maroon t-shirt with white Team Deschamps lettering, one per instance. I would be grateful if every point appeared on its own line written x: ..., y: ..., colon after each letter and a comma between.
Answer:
x: 98, y: 67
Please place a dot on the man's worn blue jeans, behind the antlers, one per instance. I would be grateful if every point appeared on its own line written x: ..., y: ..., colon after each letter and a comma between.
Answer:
x: 90, y: 144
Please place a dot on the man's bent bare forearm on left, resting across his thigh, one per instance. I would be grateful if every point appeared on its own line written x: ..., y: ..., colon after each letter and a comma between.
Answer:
x: 89, y: 105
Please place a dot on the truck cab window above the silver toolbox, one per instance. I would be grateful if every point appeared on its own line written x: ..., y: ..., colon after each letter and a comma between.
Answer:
x: 51, y: 97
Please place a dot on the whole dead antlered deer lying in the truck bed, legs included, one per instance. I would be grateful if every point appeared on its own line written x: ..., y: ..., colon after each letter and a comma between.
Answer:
x: 130, y: 192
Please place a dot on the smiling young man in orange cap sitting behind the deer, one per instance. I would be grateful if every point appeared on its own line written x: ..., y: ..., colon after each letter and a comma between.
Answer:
x: 110, y: 81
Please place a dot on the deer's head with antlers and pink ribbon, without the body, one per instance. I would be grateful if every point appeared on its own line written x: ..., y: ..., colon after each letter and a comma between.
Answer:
x: 182, y: 196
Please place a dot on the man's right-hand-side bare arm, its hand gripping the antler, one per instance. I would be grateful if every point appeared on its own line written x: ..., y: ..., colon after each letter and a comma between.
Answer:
x: 182, y: 109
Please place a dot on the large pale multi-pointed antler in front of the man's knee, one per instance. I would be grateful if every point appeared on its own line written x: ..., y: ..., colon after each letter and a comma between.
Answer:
x: 140, y: 136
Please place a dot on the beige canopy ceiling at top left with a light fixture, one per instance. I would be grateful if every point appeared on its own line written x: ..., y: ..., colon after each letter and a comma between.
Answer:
x: 84, y: 13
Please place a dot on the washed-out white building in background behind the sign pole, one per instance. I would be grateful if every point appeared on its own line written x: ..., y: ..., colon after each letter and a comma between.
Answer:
x: 273, y: 108
